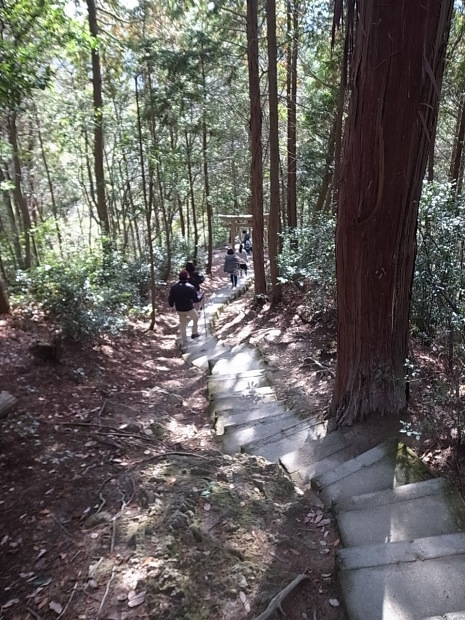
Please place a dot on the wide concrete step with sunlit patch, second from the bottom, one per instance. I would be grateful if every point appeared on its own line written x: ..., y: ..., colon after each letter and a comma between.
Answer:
x: 399, y: 513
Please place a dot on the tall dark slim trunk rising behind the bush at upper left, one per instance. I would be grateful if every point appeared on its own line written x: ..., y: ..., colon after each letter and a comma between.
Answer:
x: 98, y: 122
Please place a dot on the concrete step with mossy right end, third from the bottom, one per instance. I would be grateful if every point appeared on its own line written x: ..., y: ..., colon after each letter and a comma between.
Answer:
x: 383, y: 467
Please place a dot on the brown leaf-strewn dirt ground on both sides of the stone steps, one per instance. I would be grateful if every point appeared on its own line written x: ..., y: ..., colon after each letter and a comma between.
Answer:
x: 116, y: 501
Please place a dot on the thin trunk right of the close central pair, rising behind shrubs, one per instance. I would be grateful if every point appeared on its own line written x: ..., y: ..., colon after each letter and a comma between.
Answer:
x: 292, y: 33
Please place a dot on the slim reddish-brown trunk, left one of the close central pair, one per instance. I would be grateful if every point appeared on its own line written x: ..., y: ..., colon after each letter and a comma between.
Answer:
x: 256, y: 171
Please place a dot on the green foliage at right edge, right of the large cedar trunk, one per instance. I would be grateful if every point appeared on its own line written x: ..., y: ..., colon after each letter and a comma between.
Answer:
x: 438, y: 302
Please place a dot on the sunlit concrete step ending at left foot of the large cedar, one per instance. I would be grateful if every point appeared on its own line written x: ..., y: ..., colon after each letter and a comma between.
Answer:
x: 275, y: 446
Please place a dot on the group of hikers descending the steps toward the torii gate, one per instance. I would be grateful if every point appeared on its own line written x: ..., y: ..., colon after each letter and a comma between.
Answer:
x: 186, y: 296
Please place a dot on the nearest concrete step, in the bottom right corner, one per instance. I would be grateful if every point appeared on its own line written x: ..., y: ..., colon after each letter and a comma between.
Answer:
x: 404, y: 580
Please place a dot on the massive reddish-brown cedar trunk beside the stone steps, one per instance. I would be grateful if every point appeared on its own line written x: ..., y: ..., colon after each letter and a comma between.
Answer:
x: 397, y: 69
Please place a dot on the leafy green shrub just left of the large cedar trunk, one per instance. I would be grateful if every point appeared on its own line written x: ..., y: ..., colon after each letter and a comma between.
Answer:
x: 308, y: 254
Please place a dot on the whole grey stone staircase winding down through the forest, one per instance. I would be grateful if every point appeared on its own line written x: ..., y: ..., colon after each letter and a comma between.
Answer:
x: 402, y: 528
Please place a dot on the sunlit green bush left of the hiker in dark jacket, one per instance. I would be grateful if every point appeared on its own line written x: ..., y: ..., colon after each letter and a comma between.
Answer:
x: 84, y: 295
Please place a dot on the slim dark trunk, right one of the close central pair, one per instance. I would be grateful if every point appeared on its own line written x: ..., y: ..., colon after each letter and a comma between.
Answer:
x: 275, y: 208
